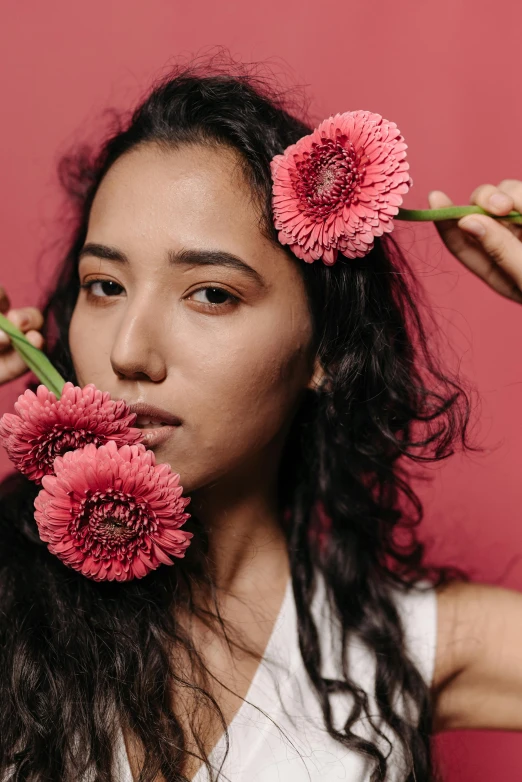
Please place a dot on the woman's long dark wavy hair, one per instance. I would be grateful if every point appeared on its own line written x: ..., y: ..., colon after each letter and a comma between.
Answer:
x: 74, y: 653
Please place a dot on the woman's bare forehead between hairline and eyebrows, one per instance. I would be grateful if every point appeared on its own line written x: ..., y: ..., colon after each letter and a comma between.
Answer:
x: 154, y: 200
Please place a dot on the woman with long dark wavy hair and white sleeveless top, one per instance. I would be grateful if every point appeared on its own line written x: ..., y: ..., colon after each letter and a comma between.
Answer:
x: 295, y: 389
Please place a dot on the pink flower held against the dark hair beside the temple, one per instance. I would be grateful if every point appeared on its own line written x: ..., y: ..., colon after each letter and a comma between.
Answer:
x: 340, y: 186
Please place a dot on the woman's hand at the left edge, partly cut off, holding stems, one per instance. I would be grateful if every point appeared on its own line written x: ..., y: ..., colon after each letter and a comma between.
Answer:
x: 29, y: 320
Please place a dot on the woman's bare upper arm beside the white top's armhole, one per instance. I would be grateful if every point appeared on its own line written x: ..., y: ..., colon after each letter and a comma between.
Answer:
x: 477, y: 681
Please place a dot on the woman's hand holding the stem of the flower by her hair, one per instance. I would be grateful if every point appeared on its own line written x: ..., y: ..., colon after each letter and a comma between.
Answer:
x: 495, y: 256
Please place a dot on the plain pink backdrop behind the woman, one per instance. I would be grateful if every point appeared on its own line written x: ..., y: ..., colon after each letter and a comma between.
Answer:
x: 443, y: 72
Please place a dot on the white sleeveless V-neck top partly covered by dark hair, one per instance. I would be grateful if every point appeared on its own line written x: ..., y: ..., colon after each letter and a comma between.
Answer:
x: 286, y: 741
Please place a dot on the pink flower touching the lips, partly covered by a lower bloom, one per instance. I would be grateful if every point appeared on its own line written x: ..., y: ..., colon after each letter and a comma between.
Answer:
x: 45, y: 427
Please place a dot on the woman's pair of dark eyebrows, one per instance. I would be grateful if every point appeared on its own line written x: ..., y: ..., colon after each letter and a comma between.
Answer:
x: 186, y: 257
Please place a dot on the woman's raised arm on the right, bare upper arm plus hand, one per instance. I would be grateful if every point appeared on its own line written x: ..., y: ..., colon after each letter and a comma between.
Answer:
x: 478, y: 664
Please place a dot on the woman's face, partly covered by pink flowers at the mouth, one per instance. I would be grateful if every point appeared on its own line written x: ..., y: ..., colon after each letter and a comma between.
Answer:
x: 230, y: 364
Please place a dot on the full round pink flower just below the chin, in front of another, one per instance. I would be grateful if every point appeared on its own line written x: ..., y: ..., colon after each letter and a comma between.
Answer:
x: 112, y: 513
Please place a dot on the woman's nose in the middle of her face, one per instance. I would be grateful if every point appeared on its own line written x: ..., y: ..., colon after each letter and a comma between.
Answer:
x: 137, y: 348
